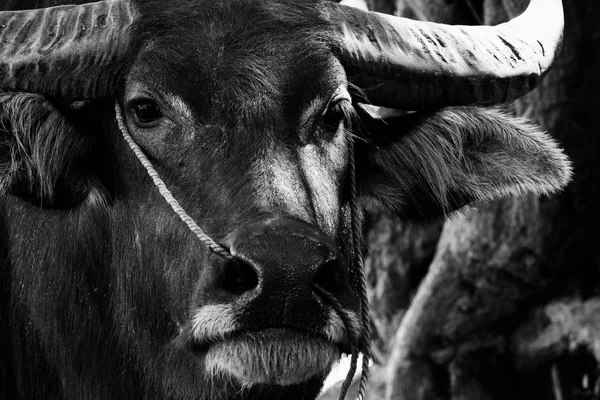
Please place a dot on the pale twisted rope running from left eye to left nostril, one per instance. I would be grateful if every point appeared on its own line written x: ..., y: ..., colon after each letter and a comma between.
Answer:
x: 166, y: 194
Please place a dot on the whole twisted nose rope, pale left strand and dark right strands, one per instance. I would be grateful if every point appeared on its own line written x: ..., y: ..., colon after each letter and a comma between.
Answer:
x: 359, y: 340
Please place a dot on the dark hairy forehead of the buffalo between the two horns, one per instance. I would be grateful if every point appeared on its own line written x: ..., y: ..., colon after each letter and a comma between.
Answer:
x: 237, y: 61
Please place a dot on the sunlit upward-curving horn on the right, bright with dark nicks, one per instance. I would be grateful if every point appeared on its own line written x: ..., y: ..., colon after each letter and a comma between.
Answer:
x: 410, y: 64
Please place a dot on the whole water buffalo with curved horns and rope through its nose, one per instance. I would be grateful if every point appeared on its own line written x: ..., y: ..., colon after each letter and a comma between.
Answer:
x: 251, y: 113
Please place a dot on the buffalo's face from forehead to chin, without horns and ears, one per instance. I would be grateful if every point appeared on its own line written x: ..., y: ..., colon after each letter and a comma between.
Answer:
x: 256, y: 150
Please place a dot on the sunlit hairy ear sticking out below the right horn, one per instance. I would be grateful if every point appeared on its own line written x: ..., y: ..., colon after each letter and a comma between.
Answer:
x: 425, y: 165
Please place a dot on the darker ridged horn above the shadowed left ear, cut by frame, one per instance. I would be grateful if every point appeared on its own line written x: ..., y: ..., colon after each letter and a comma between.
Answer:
x: 66, y: 52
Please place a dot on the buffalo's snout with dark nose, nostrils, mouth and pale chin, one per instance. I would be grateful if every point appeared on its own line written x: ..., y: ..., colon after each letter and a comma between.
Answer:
x: 266, y: 307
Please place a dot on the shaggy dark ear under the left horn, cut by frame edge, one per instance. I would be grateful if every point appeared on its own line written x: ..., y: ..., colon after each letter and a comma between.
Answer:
x: 38, y: 148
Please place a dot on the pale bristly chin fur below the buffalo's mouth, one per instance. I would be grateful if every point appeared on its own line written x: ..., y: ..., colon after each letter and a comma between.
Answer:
x: 273, y: 356
